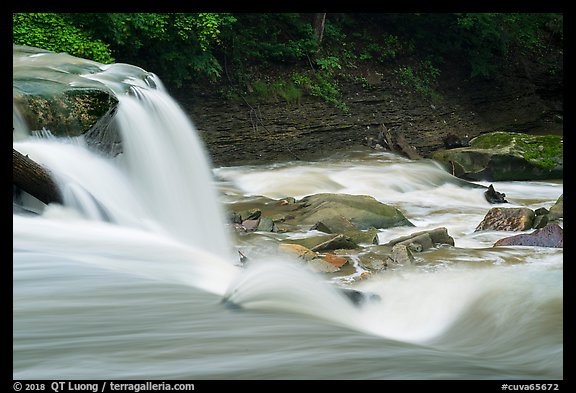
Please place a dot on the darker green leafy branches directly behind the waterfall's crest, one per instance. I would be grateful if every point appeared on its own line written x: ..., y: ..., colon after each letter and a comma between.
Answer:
x: 177, y: 46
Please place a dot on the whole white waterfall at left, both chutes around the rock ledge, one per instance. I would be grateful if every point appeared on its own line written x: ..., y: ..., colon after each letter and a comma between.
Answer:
x: 163, y: 178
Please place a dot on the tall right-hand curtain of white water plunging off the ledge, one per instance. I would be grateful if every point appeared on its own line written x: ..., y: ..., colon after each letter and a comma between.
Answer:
x: 169, y: 168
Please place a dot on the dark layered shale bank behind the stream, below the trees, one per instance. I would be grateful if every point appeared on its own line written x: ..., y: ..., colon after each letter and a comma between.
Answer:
x: 524, y: 98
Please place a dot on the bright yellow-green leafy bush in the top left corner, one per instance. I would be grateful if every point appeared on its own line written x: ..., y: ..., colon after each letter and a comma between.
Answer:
x: 53, y: 32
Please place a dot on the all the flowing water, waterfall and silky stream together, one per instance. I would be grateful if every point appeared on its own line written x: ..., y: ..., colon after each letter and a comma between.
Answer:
x: 126, y: 280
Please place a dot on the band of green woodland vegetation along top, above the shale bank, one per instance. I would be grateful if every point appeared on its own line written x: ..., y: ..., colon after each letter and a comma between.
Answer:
x: 284, y: 55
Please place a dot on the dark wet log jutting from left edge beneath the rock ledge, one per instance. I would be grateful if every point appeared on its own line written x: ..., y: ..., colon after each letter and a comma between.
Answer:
x: 34, y: 179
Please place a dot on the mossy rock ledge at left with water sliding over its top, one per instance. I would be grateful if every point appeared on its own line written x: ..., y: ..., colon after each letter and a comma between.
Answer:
x: 52, y: 93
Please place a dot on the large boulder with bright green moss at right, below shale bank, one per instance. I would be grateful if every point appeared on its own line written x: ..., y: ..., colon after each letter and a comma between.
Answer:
x: 505, y: 156
